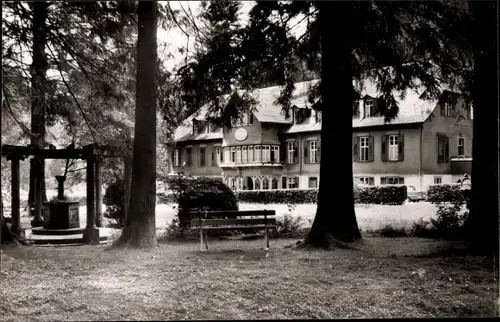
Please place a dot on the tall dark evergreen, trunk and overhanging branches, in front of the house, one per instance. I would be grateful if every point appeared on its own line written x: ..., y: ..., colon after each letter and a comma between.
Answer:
x: 399, y: 46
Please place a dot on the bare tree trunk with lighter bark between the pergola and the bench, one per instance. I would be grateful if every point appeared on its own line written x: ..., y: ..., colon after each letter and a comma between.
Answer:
x: 140, y: 228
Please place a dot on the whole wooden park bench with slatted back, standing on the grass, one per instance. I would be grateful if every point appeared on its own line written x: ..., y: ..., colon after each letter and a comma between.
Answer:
x: 227, y: 220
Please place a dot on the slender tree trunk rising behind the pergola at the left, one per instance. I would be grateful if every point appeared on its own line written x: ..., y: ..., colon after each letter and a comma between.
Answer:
x: 38, y: 108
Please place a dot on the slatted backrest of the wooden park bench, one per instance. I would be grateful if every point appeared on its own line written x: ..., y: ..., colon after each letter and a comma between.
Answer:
x: 223, y: 218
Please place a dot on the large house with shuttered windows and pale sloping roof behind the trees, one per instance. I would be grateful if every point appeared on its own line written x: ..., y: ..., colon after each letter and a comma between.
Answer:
x: 430, y: 142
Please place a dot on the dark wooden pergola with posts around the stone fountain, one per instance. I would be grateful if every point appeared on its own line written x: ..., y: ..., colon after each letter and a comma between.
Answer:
x: 92, y: 153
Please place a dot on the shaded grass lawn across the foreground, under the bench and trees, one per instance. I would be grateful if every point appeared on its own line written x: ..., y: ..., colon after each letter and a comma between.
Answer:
x: 386, y: 278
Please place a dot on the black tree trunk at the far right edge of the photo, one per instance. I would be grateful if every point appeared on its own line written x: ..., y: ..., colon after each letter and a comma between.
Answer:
x: 482, y: 224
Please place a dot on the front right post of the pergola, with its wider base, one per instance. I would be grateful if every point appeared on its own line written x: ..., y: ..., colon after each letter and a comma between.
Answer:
x: 90, y: 233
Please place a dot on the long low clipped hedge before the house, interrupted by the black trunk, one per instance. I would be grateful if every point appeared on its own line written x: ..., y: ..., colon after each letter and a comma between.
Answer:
x: 385, y: 195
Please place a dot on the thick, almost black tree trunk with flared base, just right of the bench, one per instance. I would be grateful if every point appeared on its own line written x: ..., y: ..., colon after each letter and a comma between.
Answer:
x: 335, y: 220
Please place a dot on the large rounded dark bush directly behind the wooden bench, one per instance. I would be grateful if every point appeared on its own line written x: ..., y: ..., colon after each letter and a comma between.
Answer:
x: 200, y: 194
